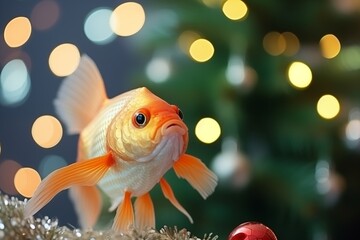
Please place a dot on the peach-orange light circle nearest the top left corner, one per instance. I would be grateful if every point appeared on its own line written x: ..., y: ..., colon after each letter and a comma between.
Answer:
x: 17, y: 32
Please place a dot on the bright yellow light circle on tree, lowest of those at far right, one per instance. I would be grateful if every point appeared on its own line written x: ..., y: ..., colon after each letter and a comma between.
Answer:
x: 328, y: 106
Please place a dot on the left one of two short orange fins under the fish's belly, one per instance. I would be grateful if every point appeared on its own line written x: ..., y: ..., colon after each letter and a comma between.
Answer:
x: 124, y: 217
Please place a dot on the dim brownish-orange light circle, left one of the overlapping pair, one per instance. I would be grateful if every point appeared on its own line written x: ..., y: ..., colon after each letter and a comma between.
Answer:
x: 274, y: 43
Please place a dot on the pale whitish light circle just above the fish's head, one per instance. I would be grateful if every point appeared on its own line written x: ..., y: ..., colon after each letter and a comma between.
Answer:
x: 158, y: 69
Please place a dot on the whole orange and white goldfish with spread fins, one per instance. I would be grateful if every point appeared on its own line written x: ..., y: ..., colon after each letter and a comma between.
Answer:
x: 126, y: 145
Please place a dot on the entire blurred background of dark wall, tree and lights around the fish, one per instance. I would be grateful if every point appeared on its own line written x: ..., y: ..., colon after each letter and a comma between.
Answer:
x: 284, y: 157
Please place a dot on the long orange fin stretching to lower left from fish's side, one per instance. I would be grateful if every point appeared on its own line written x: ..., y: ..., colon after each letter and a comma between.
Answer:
x: 82, y: 173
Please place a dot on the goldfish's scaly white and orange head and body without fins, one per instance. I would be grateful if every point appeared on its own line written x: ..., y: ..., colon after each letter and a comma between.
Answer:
x: 139, y: 176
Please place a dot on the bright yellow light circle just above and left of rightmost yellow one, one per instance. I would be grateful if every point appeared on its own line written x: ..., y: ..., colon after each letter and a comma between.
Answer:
x: 299, y: 74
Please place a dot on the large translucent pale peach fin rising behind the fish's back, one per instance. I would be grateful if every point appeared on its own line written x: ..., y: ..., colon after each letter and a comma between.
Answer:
x: 80, y: 96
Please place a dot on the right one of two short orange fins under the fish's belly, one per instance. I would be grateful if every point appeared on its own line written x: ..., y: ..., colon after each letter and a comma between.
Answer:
x: 144, y: 212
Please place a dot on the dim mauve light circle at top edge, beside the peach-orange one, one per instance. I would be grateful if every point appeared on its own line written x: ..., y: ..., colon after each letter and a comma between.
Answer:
x: 45, y: 14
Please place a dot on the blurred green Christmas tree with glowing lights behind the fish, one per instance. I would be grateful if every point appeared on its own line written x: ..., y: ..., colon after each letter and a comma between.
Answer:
x: 284, y: 155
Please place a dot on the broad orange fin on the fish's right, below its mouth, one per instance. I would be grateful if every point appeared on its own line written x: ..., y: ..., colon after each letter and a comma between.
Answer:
x: 196, y: 173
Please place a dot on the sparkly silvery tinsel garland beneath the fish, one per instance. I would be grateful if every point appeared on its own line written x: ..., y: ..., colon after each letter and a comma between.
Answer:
x: 13, y: 226
